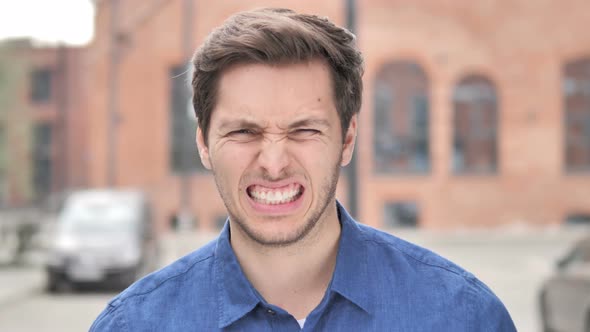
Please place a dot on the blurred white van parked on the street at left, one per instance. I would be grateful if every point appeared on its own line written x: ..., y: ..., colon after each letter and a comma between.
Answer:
x: 101, y: 237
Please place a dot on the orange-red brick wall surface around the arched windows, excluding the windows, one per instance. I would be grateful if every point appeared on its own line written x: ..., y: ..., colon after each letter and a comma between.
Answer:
x: 520, y: 46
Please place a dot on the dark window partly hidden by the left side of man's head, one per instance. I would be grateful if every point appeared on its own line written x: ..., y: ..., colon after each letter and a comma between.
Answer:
x: 184, y: 157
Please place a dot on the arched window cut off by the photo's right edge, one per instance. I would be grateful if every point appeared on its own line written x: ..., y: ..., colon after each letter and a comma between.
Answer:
x: 576, y: 94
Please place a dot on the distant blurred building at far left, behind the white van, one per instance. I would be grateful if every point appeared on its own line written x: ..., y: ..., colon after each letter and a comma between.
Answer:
x: 41, y: 122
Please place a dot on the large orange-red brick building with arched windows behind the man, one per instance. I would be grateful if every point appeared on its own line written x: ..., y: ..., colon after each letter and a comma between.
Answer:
x: 475, y: 113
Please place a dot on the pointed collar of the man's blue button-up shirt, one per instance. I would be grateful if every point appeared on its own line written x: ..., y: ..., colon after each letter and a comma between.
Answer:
x: 237, y: 297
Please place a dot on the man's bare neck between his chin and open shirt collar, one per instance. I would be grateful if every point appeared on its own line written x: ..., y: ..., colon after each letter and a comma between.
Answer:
x: 294, y: 277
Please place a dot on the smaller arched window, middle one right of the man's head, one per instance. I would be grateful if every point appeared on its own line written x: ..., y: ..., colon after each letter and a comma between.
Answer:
x: 475, y: 123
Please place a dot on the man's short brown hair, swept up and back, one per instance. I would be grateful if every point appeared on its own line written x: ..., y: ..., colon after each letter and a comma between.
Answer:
x: 278, y: 36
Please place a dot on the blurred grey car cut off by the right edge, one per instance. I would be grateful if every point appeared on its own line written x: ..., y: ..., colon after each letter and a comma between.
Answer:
x: 565, y: 297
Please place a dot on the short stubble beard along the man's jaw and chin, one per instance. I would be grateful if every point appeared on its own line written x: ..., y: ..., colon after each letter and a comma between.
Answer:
x: 327, y: 195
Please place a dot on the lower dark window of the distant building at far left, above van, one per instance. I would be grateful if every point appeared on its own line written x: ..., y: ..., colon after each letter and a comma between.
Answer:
x: 42, y: 161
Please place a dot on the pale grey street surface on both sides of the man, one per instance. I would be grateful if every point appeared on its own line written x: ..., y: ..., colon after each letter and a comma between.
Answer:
x: 513, y: 263
